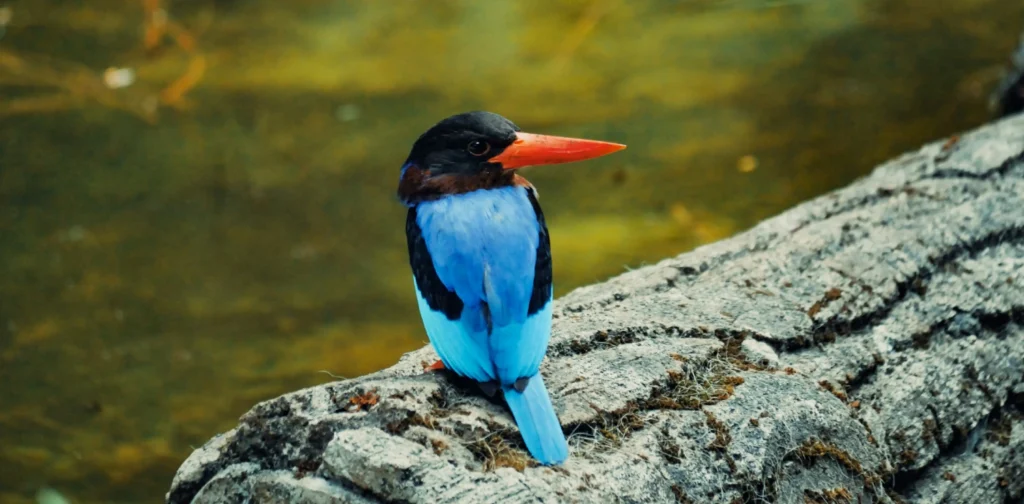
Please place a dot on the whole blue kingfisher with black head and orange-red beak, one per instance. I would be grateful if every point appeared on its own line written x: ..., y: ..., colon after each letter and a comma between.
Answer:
x: 481, y: 259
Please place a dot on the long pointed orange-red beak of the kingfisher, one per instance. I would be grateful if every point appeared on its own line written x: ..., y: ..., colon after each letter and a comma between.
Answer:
x: 534, y: 150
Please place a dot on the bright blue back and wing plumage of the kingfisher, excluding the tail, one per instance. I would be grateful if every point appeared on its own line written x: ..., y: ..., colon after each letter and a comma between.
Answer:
x: 484, y: 246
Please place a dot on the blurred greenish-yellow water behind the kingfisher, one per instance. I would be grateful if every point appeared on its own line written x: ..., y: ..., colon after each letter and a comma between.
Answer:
x: 198, y: 196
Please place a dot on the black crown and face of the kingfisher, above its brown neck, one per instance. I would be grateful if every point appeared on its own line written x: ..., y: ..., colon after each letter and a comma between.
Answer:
x: 462, y: 145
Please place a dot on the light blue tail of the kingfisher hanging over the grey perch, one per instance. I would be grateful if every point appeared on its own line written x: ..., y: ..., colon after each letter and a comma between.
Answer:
x: 538, y: 424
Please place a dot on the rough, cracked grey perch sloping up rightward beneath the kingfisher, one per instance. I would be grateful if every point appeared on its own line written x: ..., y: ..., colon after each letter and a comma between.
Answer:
x: 864, y: 347
